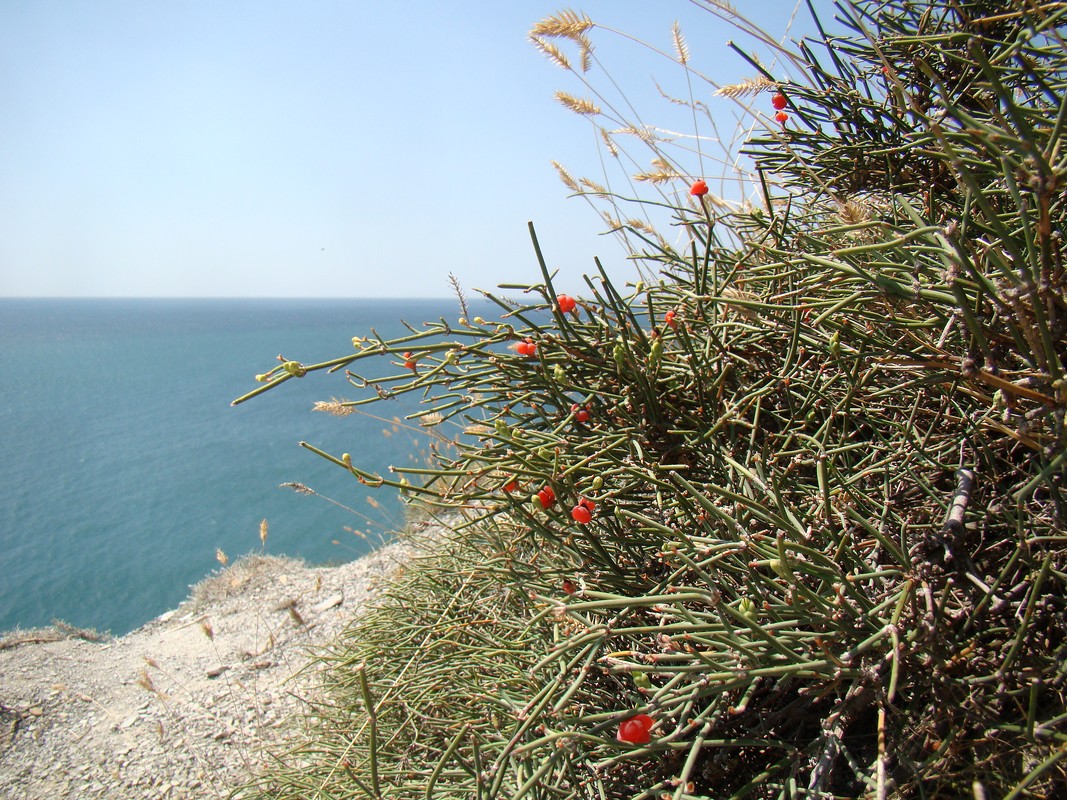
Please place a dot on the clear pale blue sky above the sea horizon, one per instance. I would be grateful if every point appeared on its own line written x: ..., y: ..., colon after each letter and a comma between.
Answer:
x: 326, y: 149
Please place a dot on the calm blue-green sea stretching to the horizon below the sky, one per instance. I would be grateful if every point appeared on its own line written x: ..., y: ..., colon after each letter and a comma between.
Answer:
x: 125, y: 472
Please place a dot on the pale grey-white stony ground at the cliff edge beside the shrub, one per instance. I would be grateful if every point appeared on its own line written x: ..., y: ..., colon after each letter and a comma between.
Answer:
x: 184, y: 707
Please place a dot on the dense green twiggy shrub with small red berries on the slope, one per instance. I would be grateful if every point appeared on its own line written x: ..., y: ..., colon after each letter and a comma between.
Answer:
x: 822, y: 452
